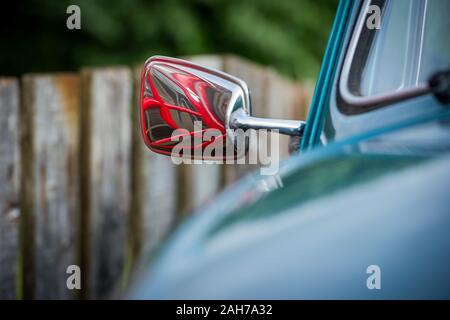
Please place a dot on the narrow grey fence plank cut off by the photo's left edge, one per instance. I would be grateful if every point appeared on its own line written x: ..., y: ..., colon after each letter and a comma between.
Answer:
x: 9, y: 186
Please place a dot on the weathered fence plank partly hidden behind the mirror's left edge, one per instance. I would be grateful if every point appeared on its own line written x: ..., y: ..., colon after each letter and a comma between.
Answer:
x: 154, y: 200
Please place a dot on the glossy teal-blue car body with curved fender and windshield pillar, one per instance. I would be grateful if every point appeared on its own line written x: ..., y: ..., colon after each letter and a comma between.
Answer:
x: 368, y: 188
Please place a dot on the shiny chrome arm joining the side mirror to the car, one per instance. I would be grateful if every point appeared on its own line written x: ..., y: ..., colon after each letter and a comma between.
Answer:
x: 242, y: 120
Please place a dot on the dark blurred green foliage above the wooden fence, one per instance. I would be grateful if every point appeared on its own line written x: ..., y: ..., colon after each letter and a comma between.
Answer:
x: 289, y: 35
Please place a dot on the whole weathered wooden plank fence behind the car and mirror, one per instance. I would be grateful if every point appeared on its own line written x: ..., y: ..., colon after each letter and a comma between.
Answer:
x: 78, y: 186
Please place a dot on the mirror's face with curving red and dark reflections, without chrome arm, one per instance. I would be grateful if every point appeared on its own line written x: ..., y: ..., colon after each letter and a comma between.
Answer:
x: 179, y: 97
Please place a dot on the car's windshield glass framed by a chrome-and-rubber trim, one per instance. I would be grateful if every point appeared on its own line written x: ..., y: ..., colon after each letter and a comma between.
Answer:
x: 411, y: 44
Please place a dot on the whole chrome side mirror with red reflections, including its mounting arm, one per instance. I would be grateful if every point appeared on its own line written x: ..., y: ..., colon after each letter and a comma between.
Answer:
x: 180, y: 100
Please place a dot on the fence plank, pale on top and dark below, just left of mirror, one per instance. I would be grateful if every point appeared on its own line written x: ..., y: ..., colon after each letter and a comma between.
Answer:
x: 105, y: 182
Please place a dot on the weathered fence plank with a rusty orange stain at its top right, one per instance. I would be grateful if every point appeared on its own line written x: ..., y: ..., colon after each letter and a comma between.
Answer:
x: 49, y: 119
